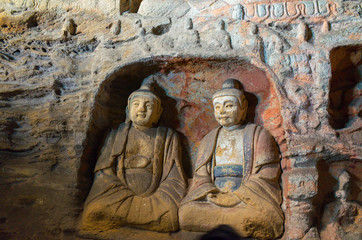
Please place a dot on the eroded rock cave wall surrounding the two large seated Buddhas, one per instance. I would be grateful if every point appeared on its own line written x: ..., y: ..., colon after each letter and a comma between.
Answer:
x: 66, y: 69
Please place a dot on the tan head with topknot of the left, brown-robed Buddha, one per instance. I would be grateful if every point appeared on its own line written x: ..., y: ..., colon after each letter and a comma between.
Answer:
x: 144, y: 107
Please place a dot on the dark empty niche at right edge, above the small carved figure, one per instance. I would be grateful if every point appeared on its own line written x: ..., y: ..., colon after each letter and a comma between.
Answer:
x: 345, y: 87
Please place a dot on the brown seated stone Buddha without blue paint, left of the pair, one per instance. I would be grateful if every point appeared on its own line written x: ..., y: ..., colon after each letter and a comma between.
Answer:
x: 138, y: 177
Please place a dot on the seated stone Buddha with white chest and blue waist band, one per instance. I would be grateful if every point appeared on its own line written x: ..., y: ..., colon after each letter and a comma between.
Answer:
x: 236, y: 178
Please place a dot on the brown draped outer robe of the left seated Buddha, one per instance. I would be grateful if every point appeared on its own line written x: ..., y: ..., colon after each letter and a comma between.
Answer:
x: 111, y: 203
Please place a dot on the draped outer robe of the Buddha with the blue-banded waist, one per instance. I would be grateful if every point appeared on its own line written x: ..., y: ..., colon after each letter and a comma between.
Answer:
x: 258, y: 214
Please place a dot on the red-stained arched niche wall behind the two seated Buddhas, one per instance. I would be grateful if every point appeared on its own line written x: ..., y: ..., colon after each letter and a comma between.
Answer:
x: 185, y: 86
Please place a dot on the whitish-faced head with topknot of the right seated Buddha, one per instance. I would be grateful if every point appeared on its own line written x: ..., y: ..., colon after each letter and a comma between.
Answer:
x: 230, y: 104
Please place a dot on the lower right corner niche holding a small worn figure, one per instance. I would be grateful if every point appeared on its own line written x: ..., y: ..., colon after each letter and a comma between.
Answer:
x: 338, y: 202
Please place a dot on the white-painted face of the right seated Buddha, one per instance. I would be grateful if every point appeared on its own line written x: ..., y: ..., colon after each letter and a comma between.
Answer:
x: 227, y: 111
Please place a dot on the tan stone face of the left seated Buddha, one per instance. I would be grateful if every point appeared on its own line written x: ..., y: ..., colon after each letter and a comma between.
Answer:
x: 144, y: 110
